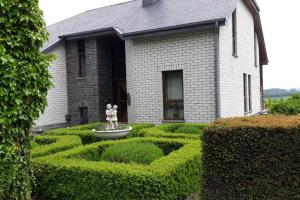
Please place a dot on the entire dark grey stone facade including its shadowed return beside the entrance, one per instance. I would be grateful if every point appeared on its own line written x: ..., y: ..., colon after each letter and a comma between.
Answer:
x: 95, y: 90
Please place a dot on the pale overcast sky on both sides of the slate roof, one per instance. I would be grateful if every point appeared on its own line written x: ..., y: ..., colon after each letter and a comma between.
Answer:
x: 280, y: 24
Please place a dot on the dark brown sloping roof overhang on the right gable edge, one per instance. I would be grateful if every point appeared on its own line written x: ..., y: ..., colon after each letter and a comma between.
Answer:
x: 254, y: 9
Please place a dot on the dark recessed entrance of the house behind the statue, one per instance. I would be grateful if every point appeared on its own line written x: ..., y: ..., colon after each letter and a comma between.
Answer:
x: 112, y: 75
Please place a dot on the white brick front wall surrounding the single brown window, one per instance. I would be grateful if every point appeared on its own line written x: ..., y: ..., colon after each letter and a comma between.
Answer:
x: 147, y: 58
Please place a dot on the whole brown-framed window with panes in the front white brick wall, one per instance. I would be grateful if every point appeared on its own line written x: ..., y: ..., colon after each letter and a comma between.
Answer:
x: 173, y: 95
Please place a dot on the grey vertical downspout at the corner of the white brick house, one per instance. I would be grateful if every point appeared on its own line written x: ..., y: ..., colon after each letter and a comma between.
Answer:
x: 217, y: 70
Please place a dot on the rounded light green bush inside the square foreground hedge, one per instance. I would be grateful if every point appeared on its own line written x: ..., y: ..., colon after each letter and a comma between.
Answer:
x: 142, y: 153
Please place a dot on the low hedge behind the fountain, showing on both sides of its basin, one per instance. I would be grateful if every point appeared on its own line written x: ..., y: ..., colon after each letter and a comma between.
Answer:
x: 86, y: 134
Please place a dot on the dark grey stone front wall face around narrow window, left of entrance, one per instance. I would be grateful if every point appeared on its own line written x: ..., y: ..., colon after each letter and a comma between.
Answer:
x: 82, y: 92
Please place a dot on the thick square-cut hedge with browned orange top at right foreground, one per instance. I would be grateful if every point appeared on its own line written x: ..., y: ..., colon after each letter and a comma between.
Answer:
x: 252, y: 158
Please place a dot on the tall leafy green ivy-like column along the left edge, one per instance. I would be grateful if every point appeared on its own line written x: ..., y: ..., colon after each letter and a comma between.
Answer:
x: 24, y: 81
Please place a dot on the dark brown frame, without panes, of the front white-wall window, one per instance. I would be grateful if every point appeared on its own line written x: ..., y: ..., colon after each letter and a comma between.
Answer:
x: 165, y: 90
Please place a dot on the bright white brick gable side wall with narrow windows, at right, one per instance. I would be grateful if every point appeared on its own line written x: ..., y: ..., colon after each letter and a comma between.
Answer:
x: 232, y: 68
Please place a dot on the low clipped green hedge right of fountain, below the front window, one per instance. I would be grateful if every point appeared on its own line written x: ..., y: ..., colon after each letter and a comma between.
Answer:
x: 172, y: 131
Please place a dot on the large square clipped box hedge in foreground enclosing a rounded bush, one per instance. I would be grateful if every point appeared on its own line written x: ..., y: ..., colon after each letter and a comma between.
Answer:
x: 71, y: 175
